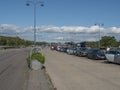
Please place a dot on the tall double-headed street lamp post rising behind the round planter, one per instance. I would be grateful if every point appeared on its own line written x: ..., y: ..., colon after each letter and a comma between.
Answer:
x: 35, y: 3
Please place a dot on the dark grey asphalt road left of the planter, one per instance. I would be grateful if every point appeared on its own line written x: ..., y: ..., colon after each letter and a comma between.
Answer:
x: 13, y: 68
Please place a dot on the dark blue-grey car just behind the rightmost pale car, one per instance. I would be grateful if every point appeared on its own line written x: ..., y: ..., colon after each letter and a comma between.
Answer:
x: 96, y: 54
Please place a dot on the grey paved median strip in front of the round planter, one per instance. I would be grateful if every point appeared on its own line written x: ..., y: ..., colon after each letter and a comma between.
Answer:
x: 38, y: 80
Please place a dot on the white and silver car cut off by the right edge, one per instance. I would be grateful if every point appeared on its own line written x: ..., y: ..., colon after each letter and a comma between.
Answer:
x: 113, y: 56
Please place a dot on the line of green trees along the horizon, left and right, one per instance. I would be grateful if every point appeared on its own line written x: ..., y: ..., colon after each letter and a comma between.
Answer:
x: 106, y: 41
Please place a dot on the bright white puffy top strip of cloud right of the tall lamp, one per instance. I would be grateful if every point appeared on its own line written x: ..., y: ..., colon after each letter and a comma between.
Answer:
x: 73, y: 29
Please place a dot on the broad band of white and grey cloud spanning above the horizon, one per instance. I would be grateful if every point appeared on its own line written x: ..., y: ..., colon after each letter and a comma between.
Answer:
x: 60, y: 33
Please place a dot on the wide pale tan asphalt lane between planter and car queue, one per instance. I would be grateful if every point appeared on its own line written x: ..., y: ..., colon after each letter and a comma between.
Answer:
x: 69, y: 72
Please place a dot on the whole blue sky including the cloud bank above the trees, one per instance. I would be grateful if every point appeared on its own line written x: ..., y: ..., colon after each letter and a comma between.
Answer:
x: 61, y: 20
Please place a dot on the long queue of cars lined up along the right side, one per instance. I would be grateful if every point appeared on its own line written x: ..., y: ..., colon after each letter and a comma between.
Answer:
x: 90, y: 53
